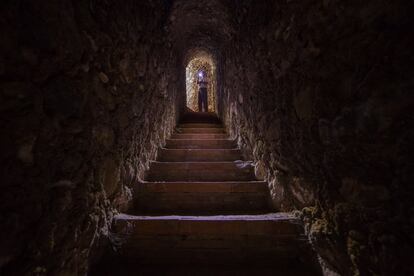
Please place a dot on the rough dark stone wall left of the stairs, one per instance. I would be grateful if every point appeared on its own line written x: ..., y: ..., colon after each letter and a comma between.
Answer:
x: 88, y: 92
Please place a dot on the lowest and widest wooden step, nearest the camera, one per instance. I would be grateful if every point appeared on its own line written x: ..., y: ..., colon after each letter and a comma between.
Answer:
x: 256, y: 239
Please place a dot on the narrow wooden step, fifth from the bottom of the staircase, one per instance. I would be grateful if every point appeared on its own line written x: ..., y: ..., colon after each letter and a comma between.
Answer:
x: 200, y: 144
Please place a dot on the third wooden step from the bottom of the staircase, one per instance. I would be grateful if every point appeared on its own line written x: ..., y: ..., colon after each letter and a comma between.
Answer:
x: 200, y: 171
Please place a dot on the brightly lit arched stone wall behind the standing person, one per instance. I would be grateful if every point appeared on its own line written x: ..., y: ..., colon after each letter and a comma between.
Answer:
x: 201, y: 61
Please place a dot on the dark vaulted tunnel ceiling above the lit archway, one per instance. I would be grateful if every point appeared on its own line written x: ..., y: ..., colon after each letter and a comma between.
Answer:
x: 200, y: 24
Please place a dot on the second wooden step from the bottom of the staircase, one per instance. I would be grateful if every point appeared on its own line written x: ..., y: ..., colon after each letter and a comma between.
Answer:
x: 201, y: 197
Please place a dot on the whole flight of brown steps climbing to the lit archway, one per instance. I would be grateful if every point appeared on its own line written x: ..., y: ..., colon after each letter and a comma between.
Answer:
x: 201, y: 207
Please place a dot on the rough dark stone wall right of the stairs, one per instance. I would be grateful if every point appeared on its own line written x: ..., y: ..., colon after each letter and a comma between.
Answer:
x: 321, y: 93
